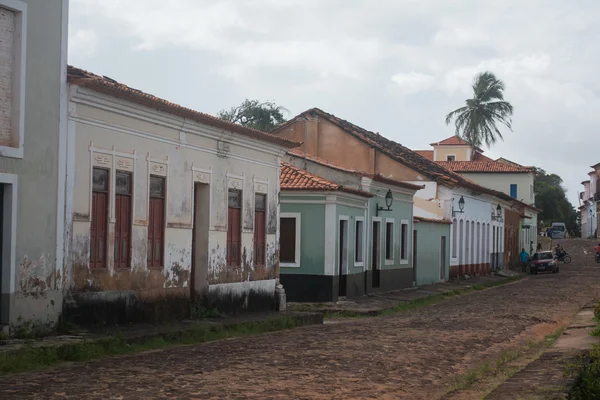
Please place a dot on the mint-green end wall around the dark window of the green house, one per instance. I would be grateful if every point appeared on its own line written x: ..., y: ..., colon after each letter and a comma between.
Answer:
x: 312, y: 237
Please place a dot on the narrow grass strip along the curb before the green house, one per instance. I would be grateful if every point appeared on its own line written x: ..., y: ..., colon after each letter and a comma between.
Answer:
x: 420, y: 302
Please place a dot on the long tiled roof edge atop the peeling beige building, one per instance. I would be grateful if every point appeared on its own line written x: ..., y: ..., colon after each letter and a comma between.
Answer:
x: 111, y: 87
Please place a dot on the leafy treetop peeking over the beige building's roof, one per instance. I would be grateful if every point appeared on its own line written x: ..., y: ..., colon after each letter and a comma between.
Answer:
x: 263, y: 116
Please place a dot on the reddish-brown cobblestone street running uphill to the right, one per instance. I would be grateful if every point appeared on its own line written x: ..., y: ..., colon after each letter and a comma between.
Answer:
x: 412, y: 355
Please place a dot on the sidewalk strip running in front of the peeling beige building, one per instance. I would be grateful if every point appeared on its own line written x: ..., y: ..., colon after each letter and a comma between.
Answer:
x: 142, y: 332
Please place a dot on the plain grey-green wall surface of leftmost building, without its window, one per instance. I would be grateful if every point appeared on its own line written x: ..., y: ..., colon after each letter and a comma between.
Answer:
x: 31, y: 284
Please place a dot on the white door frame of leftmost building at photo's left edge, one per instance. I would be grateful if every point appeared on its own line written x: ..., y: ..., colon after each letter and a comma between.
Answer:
x: 9, y: 243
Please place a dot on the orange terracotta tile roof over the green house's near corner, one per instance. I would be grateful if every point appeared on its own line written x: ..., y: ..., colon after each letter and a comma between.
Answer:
x: 293, y: 178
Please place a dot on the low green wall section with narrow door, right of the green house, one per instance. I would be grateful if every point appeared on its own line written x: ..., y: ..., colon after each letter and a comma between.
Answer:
x: 428, y: 251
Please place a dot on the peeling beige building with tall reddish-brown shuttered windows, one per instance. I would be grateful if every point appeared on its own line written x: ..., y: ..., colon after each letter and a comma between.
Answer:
x: 164, y: 202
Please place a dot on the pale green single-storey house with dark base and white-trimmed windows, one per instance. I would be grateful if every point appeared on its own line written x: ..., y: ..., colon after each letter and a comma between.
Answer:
x: 373, y: 249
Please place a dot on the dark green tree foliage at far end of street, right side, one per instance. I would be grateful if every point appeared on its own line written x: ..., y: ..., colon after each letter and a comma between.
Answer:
x: 551, y: 197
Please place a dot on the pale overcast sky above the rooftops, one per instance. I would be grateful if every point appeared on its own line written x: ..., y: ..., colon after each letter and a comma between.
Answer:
x: 396, y: 67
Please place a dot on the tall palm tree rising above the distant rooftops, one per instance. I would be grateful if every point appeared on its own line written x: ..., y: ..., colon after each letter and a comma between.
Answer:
x: 477, y: 121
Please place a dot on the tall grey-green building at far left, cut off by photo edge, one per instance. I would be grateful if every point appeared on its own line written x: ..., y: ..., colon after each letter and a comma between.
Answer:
x: 33, y: 94
